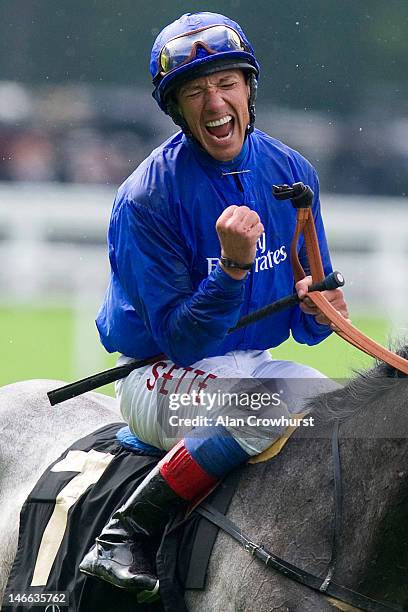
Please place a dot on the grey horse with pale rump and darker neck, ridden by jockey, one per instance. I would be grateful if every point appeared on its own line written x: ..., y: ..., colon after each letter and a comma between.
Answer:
x: 286, y: 503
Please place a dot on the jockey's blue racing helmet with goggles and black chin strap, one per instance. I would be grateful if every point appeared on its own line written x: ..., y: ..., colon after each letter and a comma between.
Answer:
x: 195, y: 45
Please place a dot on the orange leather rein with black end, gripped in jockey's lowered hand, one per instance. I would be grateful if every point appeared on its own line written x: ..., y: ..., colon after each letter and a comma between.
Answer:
x: 305, y: 224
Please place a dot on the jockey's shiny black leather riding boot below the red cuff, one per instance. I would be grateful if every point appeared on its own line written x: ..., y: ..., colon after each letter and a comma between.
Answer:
x: 121, y: 554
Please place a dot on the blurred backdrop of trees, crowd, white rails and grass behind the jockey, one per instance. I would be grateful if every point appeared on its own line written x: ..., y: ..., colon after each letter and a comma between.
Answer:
x: 77, y: 116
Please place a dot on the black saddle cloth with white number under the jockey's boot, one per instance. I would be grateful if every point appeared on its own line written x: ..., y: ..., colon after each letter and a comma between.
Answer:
x: 68, y: 508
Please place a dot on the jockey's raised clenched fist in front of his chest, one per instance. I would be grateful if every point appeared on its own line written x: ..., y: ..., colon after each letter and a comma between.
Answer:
x: 238, y: 229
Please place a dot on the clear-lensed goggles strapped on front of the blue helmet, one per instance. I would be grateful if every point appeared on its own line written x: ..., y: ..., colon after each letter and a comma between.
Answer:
x: 183, y: 49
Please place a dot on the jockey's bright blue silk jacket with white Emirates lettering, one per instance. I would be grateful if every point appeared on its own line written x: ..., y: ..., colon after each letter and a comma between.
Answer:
x: 167, y: 293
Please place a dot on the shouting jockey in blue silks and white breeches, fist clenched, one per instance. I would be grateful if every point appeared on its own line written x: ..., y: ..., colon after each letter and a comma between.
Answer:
x: 196, y: 240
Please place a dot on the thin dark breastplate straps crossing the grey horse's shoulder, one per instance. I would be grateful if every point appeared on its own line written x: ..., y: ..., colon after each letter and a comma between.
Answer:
x: 325, y: 586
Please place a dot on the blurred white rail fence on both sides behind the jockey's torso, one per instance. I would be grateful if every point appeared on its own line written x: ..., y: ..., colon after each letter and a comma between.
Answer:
x: 52, y: 251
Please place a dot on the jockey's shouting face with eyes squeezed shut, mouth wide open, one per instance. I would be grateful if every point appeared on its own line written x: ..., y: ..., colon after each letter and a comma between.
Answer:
x: 215, y: 108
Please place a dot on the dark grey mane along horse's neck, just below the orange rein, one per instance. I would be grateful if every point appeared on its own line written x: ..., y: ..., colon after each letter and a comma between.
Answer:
x: 362, y: 390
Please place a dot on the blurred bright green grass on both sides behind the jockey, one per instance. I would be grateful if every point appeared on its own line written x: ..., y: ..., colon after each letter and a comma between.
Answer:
x: 38, y: 343
